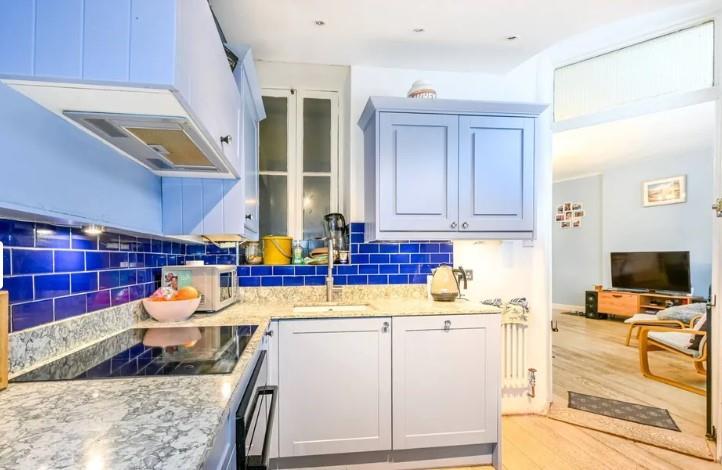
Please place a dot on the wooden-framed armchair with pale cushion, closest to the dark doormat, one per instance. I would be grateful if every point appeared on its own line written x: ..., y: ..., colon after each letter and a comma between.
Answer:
x: 675, y: 340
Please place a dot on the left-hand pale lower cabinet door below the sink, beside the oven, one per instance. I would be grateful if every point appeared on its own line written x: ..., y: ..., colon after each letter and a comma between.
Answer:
x: 334, y: 386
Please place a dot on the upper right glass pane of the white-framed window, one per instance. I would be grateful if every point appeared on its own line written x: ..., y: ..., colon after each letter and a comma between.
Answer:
x: 316, y: 135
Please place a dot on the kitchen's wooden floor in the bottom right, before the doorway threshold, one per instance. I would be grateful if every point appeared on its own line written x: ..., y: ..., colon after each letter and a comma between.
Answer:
x: 537, y: 442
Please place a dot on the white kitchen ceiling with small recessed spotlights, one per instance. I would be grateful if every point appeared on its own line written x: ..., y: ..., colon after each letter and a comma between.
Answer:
x: 460, y: 35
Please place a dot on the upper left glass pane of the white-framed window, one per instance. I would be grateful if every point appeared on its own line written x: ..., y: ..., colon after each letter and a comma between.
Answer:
x: 274, y: 134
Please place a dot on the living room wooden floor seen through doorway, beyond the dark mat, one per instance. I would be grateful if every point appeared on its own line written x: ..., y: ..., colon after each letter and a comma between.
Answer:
x: 590, y: 357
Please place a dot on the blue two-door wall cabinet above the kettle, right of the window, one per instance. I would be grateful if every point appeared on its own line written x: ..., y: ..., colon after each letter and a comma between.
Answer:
x: 448, y: 169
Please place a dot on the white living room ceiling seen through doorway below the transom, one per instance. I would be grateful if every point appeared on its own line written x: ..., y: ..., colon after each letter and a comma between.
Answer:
x: 593, y: 149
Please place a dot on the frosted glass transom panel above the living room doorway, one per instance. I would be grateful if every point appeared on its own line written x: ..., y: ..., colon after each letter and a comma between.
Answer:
x: 678, y: 62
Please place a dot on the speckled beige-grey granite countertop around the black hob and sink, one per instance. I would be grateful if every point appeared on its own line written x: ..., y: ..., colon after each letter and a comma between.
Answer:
x: 153, y: 423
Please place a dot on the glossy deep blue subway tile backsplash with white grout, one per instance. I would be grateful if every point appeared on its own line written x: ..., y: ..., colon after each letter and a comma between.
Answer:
x: 53, y: 273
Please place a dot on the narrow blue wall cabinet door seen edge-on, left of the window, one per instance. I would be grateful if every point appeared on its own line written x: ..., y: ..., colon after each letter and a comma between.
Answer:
x: 250, y: 156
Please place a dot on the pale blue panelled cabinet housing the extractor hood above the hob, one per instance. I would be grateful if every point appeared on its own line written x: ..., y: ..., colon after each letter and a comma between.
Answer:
x: 149, y: 78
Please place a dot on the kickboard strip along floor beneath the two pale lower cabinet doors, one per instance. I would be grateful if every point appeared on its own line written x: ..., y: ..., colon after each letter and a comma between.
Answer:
x: 463, y: 456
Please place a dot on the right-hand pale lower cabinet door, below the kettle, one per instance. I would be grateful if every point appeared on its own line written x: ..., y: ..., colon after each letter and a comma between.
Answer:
x: 445, y: 380
